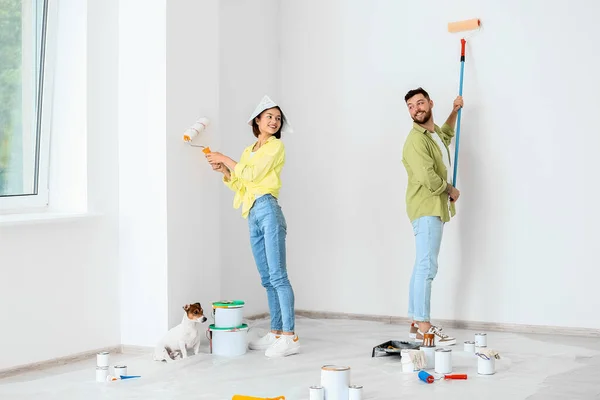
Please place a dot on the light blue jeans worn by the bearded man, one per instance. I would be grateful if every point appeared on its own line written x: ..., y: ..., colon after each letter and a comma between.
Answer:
x: 428, y: 237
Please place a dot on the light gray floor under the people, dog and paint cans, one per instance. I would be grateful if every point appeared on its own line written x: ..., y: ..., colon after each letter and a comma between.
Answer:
x: 532, y: 367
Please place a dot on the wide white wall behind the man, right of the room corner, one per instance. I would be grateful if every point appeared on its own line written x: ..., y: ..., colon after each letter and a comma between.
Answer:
x: 520, y: 249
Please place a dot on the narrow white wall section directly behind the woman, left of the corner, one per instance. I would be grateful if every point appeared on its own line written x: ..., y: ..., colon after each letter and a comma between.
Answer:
x: 249, y: 68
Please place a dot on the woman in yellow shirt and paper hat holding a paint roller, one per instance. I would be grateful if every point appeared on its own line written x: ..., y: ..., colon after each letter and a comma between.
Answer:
x: 256, y: 183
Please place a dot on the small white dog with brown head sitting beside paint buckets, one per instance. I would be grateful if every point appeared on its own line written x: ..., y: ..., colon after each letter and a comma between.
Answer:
x: 180, y: 338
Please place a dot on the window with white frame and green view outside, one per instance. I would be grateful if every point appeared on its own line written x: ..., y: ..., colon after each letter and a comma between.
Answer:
x: 24, y: 104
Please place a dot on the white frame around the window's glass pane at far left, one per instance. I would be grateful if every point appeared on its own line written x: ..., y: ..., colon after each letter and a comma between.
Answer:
x: 39, y: 201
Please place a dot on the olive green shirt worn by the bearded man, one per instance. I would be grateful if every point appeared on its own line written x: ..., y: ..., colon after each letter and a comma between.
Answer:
x: 426, y: 193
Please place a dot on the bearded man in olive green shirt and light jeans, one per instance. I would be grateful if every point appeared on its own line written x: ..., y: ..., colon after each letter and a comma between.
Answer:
x: 430, y: 199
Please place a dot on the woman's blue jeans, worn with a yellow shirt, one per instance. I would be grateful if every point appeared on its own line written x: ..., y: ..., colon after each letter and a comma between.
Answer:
x: 268, y: 230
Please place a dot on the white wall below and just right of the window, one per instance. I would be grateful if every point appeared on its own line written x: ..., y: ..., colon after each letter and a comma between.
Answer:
x: 58, y: 277
